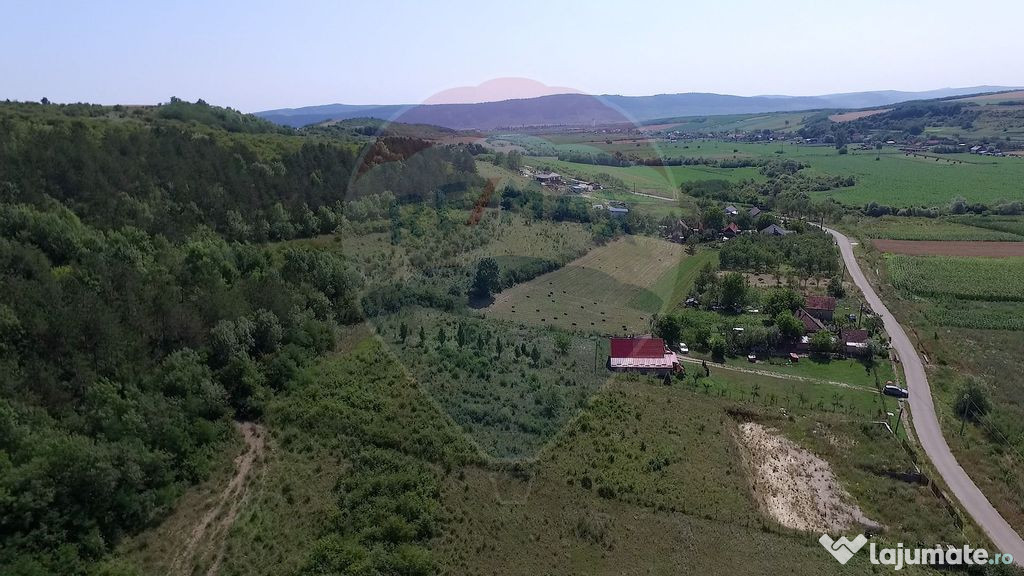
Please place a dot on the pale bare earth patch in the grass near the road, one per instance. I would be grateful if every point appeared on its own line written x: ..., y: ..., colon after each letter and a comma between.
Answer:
x: 795, y: 487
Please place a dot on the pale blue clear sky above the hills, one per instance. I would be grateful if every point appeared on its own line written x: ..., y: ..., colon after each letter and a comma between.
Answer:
x: 257, y: 55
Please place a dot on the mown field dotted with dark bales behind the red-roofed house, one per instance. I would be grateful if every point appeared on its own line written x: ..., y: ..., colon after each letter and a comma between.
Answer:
x: 614, y: 290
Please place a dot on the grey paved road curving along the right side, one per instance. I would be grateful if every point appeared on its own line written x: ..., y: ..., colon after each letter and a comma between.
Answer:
x: 926, y: 425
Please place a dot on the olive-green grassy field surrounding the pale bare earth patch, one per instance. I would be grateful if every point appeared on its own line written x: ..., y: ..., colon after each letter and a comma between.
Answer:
x: 650, y: 480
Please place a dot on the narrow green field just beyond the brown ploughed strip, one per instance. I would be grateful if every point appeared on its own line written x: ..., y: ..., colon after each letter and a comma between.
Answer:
x: 901, y: 228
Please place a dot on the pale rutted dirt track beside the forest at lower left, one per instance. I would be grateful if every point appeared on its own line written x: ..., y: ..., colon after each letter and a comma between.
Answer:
x: 207, y: 539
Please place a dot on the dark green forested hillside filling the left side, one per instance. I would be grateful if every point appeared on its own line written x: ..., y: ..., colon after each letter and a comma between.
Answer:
x: 143, y: 308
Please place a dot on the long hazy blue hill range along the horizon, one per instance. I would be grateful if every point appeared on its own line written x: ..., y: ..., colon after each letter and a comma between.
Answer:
x: 585, y: 109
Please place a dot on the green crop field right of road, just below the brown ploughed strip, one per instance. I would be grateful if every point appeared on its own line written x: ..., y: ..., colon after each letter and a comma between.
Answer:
x: 972, y: 279
